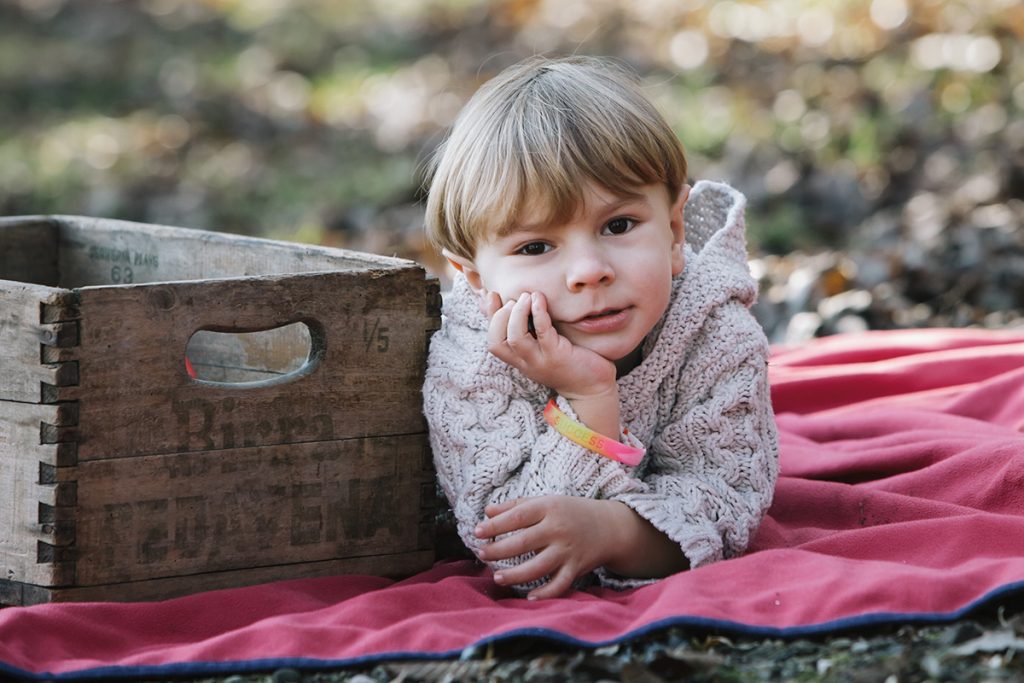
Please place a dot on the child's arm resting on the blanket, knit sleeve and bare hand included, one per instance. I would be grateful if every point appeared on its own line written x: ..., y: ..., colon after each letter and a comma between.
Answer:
x: 713, y: 472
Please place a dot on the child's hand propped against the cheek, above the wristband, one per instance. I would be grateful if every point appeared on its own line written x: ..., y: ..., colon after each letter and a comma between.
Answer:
x: 523, y: 335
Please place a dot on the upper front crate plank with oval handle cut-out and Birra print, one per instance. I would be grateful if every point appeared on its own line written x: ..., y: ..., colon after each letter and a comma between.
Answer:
x: 138, y: 399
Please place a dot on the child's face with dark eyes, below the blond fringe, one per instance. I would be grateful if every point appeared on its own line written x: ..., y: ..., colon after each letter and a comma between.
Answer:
x: 607, y: 273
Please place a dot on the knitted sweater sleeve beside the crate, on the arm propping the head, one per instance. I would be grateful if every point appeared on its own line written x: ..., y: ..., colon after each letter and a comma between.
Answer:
x: 491, y: 443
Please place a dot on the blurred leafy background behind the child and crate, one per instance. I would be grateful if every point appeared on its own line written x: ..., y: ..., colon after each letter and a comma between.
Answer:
x: 881, y: 143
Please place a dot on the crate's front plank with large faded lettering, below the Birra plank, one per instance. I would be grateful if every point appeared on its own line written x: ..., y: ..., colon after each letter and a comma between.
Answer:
x: 183, y: 515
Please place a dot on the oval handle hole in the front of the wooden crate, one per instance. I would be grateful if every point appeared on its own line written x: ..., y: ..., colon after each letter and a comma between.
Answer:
x: 252, y: 358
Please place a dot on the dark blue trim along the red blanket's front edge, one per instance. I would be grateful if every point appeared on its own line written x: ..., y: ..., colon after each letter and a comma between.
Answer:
x: 711, y: 625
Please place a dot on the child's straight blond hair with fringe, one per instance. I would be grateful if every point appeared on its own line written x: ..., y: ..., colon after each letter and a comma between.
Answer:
x: 540, y: 132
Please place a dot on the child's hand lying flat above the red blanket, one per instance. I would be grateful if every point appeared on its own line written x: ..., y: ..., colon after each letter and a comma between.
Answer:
x: 570, y: 536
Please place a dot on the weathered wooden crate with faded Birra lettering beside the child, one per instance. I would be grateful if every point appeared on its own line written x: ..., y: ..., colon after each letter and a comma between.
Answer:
x: 301, y: 451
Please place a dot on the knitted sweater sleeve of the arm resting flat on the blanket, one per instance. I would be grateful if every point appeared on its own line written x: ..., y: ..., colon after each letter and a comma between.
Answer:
x: 712, y: 468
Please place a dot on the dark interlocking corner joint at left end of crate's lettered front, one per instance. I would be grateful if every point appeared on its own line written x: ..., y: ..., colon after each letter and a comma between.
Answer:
x: 60, y: 337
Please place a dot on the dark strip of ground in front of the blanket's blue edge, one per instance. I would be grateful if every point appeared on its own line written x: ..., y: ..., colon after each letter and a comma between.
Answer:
x: 988, y: 647
